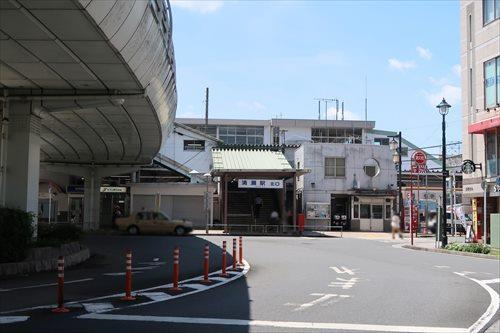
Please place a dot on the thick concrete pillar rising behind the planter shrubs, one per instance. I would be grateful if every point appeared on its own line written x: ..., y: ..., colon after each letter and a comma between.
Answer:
x: 22, y: 166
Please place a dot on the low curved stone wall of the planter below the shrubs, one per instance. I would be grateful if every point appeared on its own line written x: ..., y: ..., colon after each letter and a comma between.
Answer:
x: 42, y: 259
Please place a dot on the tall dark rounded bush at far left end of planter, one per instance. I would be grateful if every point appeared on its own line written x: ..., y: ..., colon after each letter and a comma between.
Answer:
x: 16, y: 231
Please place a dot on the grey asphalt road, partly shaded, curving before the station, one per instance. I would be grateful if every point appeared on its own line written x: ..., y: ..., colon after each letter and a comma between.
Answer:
x: 302, y: 285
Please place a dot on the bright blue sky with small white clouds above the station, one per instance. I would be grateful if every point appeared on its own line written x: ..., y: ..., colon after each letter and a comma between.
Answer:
x: 264, y: 59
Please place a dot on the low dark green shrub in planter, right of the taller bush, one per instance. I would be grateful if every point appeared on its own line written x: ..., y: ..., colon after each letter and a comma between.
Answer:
x: 58, y: 233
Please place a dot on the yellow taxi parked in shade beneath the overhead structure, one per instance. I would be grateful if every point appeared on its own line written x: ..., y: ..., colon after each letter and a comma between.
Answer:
x: 153, y: 222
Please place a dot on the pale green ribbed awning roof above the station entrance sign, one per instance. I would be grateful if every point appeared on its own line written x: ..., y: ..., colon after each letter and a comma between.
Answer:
x: 249, y: 160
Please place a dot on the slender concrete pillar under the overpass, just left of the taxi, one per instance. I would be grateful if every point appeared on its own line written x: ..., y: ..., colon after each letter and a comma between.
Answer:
x: 91, y: 201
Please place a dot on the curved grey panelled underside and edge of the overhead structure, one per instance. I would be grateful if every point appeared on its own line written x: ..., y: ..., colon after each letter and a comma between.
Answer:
x: 102, y: 74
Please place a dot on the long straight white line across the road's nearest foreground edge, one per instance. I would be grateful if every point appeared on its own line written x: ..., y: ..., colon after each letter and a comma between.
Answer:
x: 276, y: 324
